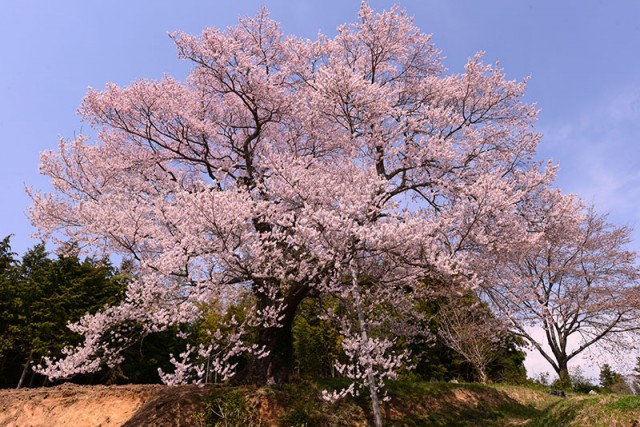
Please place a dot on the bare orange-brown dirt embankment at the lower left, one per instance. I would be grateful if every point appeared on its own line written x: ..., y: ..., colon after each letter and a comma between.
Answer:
x: 83, y: 406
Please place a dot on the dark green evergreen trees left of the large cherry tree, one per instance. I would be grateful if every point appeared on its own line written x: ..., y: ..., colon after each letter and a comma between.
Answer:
x: 40, y: 296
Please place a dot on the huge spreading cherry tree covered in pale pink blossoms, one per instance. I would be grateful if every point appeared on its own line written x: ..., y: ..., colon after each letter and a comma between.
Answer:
x: 287, y: 169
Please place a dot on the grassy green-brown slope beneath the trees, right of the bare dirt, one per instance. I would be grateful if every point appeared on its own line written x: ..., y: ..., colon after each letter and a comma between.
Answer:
x: 426, y: 404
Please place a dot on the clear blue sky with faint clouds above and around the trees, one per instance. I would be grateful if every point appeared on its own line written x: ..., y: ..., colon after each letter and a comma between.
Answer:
x: 583, y: 58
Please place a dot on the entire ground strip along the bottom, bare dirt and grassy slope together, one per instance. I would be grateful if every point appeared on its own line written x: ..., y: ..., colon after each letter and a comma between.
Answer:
x: 412, y: 404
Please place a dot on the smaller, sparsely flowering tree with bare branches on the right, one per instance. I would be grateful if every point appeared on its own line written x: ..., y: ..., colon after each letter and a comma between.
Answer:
x: 578, y: 283
